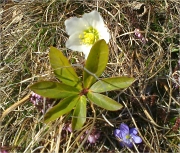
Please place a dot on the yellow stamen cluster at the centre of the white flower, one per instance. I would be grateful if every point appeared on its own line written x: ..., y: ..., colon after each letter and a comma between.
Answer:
x: 89, y: 36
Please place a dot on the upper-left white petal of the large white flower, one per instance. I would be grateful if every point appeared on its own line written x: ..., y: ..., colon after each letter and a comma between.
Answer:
x: 75, y: 25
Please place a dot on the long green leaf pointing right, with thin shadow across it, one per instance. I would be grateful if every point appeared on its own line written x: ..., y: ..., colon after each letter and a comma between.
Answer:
x: 109, y: 84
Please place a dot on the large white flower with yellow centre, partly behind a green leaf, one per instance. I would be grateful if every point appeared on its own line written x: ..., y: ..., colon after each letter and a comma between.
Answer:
x: 84, y: 32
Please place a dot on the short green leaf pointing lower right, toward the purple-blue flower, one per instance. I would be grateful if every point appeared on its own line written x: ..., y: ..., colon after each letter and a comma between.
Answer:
x: 104, y: 101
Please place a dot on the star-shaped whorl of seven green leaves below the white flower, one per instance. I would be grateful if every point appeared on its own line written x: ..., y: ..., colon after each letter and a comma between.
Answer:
x: 74, y: 92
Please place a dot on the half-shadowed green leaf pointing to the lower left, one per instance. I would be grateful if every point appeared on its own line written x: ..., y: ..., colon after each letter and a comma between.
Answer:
x: 63, y: 107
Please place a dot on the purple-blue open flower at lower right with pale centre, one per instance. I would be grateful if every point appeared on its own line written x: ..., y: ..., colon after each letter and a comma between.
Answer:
x: 127, y: 136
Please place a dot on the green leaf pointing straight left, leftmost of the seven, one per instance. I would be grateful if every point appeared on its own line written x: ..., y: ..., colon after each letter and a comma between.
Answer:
x: 54, y: 89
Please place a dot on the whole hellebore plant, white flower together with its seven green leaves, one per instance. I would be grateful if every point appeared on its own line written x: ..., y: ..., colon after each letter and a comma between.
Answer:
x: 90, y: 36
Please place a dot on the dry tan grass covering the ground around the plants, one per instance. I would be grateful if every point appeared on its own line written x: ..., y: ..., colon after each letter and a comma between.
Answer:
x: 151, y: 104
